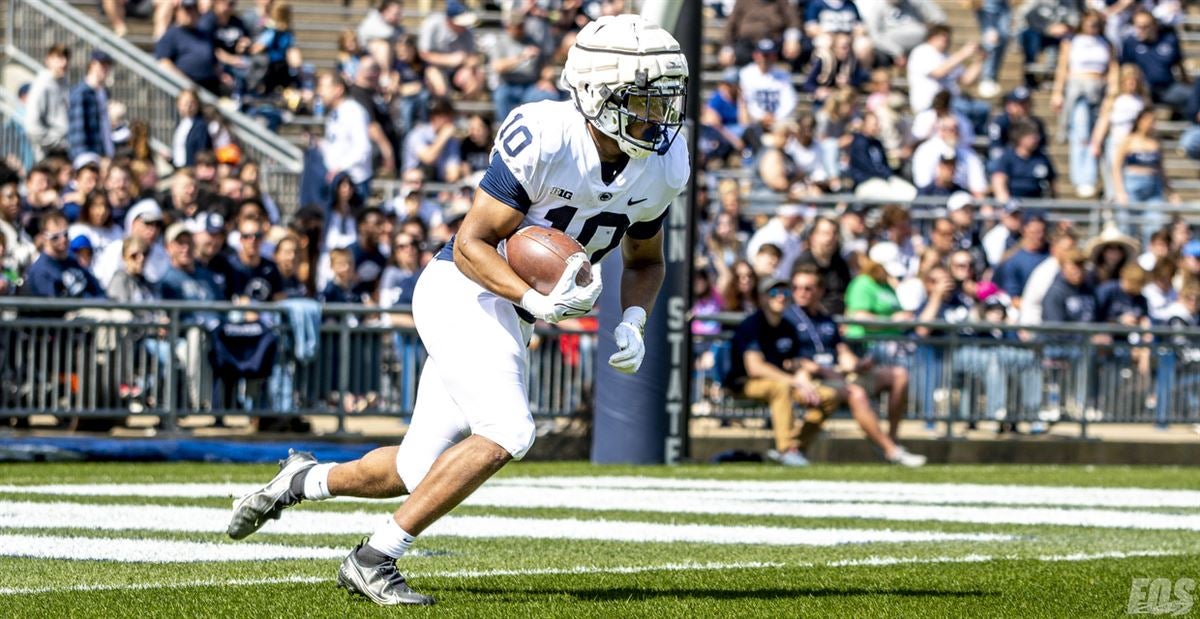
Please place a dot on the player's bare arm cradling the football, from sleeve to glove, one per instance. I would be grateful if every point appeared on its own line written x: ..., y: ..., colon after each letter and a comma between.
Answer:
x: 487, y: 225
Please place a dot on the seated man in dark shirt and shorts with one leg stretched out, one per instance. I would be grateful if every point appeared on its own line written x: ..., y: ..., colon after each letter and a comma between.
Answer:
x: 832, y: 366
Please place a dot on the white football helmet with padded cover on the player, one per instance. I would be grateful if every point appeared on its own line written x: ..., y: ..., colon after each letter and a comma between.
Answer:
x: 629, y: 79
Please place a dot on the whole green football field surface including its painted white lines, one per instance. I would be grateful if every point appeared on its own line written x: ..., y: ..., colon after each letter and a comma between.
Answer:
x: 577, y: 540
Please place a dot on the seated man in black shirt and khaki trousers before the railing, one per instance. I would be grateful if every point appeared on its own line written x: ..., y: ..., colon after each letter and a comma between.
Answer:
x: 765, y: 350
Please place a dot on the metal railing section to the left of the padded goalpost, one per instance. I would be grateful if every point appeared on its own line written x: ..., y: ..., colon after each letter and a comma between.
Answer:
x: 70, y: 359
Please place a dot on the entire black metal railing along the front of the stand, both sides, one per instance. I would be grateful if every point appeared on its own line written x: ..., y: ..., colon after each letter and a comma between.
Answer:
x: 111, y: 360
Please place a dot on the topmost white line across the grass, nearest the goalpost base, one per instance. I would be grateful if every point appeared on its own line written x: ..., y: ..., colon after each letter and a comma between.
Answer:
x: 761, y: 491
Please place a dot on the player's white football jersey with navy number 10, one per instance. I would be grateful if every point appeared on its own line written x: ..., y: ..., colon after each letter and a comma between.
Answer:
x: 551, y: 172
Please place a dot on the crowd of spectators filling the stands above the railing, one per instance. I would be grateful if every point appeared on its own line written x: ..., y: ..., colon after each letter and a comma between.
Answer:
x: 817, y: 98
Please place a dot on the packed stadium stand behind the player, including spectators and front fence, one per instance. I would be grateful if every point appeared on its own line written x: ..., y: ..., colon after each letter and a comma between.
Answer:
x: 413, y: 139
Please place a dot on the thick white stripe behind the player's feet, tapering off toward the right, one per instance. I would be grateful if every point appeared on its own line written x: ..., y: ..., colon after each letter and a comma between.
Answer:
x: 213, y: 520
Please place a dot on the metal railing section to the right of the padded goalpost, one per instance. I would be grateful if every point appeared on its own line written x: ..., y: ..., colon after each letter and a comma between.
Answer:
x: 1096, y: 374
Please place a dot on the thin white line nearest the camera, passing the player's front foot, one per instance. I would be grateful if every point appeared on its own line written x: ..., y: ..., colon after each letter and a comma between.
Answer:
x: 589, y: 570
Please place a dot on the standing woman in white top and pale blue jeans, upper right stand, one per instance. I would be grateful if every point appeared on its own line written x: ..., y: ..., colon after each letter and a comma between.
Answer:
x: 1087, y: 68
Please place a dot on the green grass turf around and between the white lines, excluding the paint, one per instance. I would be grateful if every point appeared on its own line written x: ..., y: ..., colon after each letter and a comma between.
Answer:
x: 801, y: 581
